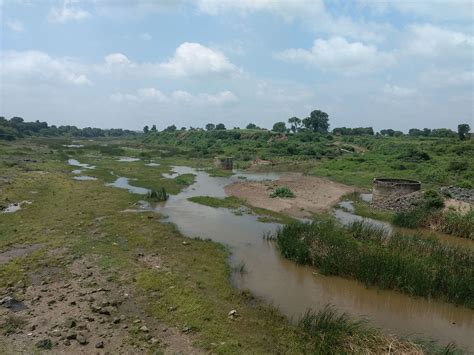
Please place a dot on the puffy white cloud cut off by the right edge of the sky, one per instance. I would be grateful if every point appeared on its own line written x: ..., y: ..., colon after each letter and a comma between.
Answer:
x: 430, y: 40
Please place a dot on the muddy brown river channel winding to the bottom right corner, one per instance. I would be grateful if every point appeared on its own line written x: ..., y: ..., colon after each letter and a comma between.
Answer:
x: 294, y: 288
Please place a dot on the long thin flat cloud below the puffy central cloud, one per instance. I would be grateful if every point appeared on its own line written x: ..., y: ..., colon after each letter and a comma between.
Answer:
x: 152, y: 95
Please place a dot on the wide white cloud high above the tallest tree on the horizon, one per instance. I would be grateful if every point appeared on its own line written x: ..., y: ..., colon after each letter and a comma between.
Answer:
x: 338, y: 55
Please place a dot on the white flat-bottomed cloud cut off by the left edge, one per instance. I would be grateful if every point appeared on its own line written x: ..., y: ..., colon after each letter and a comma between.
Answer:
x: 35, y: 66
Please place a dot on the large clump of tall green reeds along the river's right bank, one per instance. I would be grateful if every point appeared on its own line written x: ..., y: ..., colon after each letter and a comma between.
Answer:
x: 410, y: 264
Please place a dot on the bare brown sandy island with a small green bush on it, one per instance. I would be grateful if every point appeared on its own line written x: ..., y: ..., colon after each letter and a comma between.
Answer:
x: 312, y: 194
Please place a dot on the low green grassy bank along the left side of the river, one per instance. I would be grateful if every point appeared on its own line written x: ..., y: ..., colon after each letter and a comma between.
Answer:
x: 83, y: 219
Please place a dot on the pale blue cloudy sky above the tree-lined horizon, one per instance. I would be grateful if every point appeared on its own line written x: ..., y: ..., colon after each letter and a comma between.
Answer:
x: 396, y: 64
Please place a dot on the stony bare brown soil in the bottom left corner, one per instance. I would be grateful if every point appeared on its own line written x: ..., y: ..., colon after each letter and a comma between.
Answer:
x: 84, y: 313
